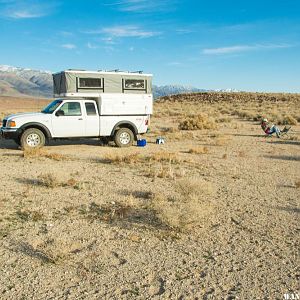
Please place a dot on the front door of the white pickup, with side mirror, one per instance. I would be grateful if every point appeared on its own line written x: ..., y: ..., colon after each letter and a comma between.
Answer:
x: 68, y: 120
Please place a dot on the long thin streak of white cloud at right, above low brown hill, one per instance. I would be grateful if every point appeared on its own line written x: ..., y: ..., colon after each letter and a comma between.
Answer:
x: 242, y: 48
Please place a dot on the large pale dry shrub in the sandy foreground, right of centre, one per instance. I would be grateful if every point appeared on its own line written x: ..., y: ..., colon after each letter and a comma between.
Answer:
x: 188, y: 208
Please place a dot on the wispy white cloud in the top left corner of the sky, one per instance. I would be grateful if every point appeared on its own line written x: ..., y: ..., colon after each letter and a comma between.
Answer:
x: 26, y: 9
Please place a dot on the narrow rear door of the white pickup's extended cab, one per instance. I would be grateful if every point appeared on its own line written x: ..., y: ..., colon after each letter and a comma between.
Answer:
x: 92, y: 119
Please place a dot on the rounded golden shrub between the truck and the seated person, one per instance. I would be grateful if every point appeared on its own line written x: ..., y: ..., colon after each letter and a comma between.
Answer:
x: 197, y: 122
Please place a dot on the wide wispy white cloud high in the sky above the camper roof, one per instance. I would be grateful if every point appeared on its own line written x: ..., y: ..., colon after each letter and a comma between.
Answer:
x: 123, y: 32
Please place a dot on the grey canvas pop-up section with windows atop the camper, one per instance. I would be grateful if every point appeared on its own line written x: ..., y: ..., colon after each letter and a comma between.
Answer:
x: 72, y: 82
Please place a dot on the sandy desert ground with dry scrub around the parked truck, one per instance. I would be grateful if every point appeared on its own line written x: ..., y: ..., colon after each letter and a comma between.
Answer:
x: 211, y: 214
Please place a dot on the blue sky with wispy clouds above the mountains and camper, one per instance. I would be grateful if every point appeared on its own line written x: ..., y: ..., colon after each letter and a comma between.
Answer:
x: 246, y: 45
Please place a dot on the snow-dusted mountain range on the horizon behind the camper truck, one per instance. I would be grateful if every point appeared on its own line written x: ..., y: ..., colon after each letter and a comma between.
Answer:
x: 22, y: 82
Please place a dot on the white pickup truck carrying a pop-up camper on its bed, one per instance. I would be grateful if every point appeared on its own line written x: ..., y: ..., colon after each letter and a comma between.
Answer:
x: 88, y: 113
